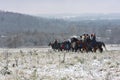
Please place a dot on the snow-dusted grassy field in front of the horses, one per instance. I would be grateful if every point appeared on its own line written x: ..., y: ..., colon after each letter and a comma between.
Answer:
x: 45, y: 64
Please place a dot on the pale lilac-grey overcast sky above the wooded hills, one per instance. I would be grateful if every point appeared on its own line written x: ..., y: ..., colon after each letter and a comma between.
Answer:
x: 60, y: 6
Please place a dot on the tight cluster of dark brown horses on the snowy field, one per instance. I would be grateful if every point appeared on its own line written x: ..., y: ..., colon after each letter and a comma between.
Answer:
x: 78, y: 45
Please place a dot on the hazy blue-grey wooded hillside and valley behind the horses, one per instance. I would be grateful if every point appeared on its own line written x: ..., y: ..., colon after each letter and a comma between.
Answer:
x: 21, y: 30
